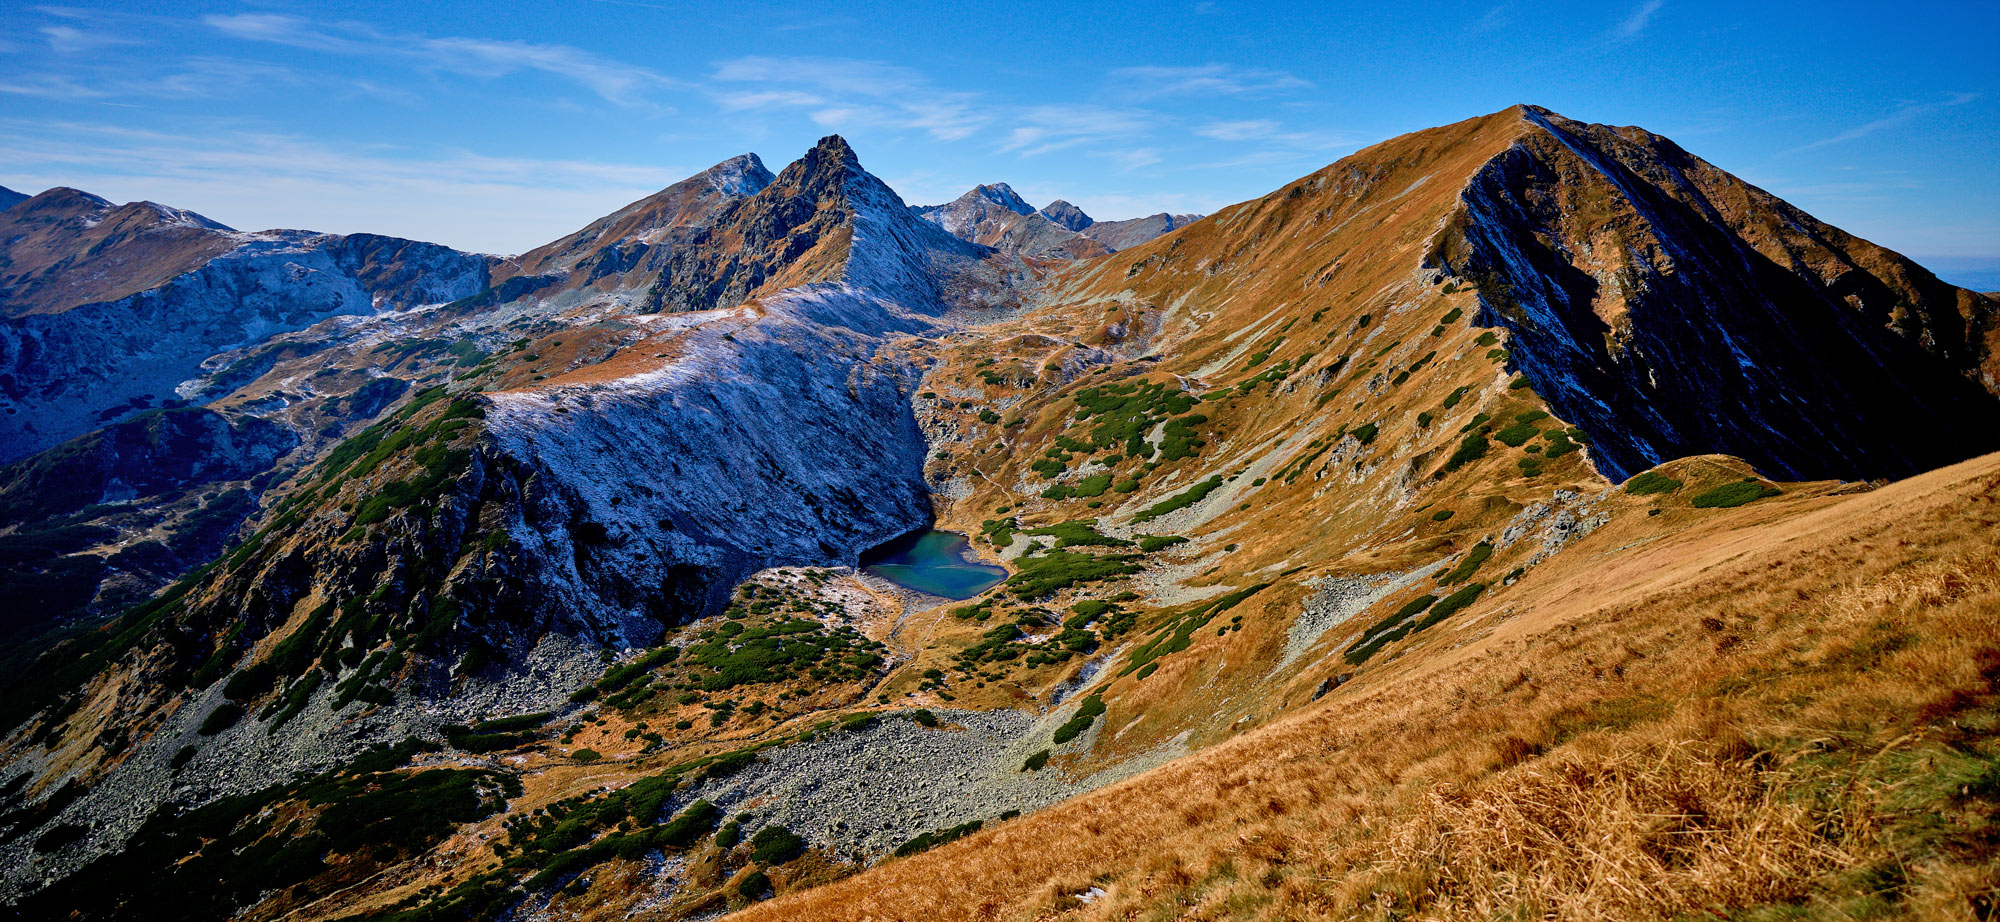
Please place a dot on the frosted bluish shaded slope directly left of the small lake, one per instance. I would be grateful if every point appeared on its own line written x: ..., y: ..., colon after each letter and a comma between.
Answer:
x: 785, y: 443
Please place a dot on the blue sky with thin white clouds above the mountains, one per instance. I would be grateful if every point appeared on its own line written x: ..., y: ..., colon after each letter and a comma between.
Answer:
x: 499, y: 127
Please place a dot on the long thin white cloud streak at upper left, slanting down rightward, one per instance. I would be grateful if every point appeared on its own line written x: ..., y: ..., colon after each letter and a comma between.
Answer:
x: 619, y: 83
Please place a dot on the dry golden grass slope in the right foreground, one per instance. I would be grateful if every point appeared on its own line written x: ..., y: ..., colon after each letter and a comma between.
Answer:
x: 1771, y: 717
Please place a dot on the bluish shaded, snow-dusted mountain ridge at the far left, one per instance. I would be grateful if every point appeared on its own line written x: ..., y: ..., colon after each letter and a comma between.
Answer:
x: 111, y: 311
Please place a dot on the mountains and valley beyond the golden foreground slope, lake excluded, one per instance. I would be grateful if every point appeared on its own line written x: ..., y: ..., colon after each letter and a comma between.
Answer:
x: 441, y: 489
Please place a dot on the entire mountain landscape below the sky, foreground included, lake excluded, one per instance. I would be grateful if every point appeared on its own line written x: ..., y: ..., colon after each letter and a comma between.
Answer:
x: 357, y: 577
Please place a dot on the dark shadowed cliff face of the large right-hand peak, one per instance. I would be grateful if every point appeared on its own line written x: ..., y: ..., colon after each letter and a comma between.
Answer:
x: 1673, y: 311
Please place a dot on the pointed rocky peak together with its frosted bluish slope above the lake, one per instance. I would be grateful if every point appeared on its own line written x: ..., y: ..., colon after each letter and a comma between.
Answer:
x: 727, y: 441
